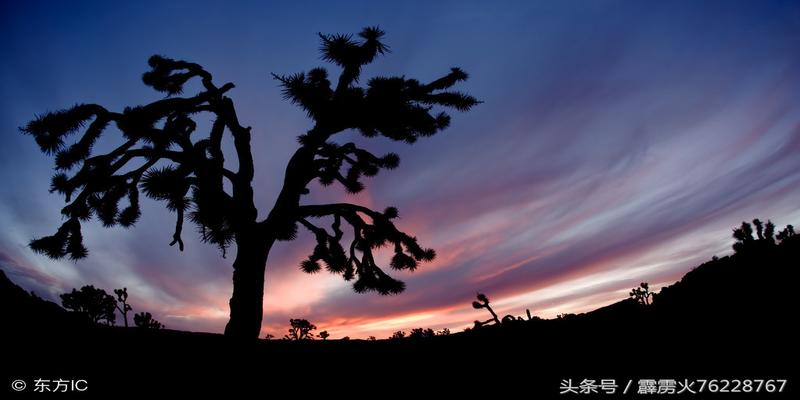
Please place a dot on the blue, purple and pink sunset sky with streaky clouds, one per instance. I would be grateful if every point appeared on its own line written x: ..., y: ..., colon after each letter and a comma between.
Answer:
x: 618, y: 142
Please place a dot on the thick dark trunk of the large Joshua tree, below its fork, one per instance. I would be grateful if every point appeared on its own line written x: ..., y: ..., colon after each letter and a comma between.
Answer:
x: 247, y: 301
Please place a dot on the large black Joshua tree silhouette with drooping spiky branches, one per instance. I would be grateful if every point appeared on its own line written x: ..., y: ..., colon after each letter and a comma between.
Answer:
x: 162, y: 154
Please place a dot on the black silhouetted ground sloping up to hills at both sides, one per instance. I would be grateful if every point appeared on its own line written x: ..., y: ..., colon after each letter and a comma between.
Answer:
x: 729, y: 318
